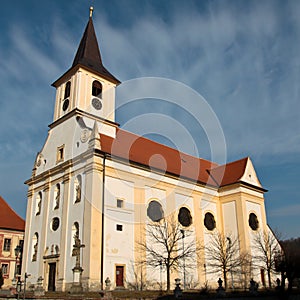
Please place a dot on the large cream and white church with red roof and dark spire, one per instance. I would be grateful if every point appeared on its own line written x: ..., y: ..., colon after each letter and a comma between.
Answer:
x: 95, y: 188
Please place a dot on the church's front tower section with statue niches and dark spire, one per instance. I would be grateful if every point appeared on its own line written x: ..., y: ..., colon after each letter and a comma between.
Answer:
x: 66, y: 187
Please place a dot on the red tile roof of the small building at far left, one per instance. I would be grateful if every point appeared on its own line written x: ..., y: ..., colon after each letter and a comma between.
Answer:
x: 9, y: 219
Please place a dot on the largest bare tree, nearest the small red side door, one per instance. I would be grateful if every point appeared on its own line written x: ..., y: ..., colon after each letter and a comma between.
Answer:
x: 164, y: 246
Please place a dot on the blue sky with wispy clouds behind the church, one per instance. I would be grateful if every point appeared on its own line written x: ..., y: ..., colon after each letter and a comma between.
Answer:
x: 241, y: 56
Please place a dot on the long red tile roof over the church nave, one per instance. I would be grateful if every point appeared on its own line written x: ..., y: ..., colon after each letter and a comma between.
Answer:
x: 140, y: 150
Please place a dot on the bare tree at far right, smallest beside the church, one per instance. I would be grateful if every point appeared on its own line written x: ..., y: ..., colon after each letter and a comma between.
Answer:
x: 266, y: 250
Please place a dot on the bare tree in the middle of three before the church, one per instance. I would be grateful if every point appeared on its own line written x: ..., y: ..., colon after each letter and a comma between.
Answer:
x: 222, y: 255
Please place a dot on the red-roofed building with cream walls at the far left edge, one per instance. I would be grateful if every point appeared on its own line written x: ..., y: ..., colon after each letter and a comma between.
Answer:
x: 12, y: 228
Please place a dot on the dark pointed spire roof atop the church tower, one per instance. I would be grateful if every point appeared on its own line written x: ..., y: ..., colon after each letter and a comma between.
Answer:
x: 88, y: 55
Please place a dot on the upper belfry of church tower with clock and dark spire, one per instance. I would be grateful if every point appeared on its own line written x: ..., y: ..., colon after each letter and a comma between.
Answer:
x: 87, y: 87
